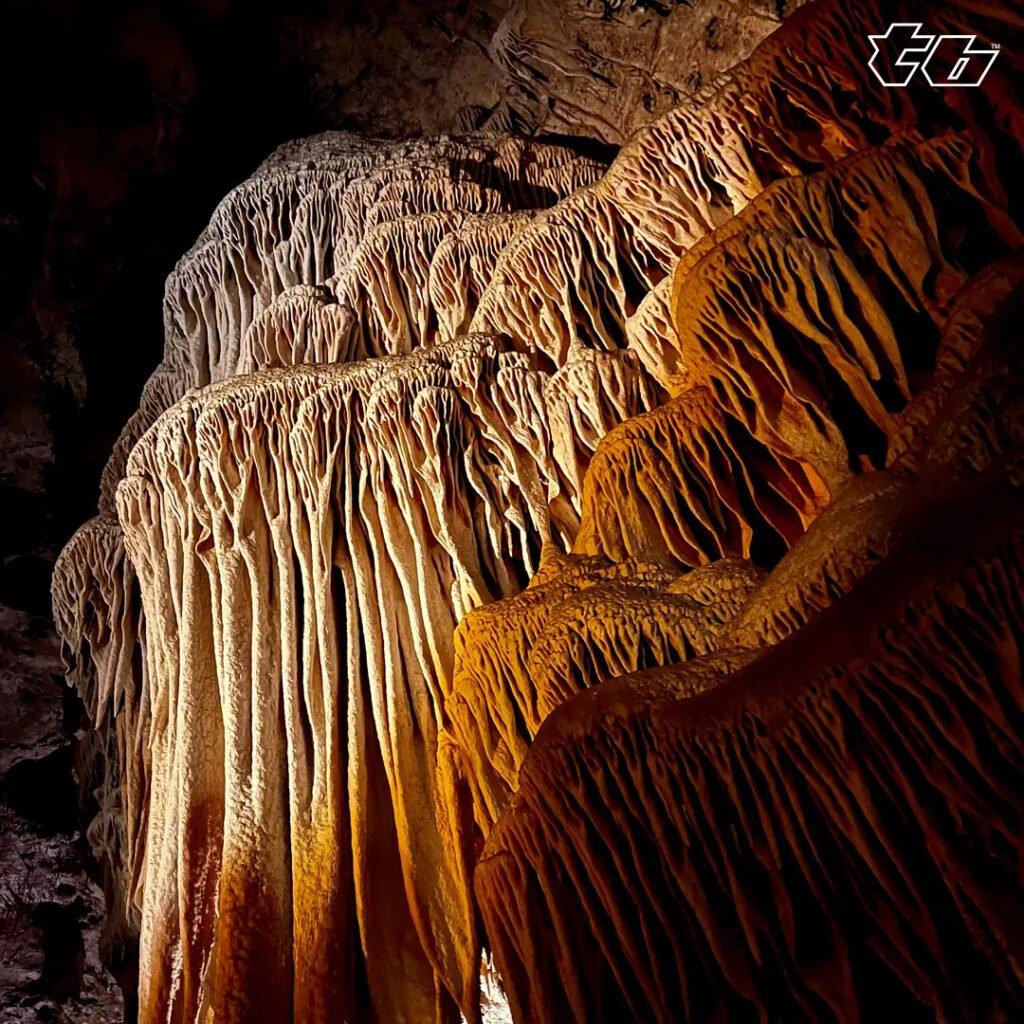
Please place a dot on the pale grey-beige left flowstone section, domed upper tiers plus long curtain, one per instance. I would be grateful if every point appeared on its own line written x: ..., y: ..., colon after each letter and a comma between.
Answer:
x: 425, y: 483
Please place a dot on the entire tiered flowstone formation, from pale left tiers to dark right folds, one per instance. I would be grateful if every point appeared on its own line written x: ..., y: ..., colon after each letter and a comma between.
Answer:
x: 518, y: 554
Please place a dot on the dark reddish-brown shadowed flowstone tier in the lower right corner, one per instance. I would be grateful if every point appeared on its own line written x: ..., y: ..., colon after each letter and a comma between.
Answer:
x: 793, y: 796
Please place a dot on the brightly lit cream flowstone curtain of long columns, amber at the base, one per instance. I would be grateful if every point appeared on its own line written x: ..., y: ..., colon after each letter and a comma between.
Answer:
x: 320, y: 532
